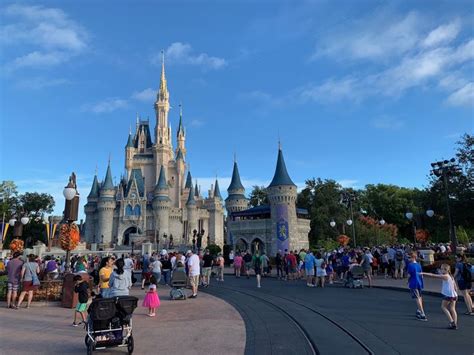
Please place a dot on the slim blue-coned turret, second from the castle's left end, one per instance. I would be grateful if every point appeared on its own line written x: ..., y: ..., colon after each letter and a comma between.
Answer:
x: 106, y: 207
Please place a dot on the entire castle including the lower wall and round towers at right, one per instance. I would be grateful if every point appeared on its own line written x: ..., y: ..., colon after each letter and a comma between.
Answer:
x: 155, y: 202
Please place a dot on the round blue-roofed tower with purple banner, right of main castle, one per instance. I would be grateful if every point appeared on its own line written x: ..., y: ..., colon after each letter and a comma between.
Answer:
x: 282, y: 196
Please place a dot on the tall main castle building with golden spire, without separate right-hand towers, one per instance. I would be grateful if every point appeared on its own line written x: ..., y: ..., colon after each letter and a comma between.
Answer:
x: 156, y: 199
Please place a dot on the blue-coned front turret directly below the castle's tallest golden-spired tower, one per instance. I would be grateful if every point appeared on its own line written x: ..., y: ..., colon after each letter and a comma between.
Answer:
x: 161, y: 204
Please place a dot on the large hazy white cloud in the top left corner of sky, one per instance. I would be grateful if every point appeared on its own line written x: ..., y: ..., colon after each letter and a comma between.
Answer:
x: 47, y: 36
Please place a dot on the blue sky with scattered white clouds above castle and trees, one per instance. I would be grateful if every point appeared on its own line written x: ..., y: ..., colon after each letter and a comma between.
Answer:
x: 362, y: 92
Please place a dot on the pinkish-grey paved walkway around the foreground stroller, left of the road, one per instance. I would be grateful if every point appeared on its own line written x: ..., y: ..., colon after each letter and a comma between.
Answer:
x: 205, y: 325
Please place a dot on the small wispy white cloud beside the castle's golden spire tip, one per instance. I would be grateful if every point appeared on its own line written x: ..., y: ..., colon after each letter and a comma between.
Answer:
x: 183, y: 53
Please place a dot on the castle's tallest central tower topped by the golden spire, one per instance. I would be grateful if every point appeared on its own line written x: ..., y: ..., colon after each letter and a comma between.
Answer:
x: 163, y: 151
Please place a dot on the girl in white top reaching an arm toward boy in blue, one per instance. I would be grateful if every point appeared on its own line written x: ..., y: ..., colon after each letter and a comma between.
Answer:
x: 450, y: 296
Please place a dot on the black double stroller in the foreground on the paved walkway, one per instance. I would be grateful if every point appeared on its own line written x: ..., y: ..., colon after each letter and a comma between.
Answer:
x: 110, y: 323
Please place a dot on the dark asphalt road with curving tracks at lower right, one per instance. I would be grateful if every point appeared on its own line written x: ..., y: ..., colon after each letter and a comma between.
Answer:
x: 289, y: 318
